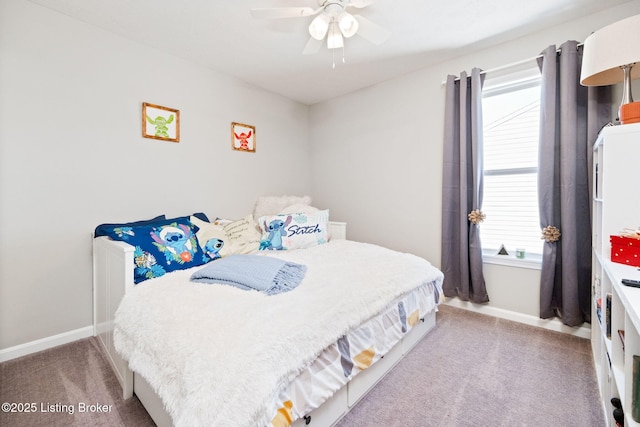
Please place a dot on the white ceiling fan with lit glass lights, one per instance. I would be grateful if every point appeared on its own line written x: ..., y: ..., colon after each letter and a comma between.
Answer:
x: 332, y: 20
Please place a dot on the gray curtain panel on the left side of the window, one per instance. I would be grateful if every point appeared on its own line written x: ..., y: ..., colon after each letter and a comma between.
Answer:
x: 462, y: 188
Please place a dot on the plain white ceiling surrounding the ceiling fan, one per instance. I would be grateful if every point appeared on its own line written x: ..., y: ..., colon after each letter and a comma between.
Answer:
x: 222, y: 35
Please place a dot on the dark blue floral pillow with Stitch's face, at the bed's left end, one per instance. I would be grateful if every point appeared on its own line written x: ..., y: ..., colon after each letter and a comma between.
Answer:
x: 163, y: 247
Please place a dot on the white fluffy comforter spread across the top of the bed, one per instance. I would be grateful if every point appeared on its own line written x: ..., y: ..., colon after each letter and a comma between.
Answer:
x: 216, y: 354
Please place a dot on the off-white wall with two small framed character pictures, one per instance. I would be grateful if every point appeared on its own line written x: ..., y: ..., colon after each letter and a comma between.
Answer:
x: 72, y: 156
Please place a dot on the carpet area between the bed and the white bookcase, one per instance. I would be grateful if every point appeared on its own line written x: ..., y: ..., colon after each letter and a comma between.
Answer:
x: 478, y: 370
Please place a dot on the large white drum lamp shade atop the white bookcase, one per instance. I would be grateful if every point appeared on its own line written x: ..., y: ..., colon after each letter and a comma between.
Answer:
x: 610, y: 48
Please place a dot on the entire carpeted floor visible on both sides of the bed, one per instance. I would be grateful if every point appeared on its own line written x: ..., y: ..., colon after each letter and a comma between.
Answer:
x: 471, y: 370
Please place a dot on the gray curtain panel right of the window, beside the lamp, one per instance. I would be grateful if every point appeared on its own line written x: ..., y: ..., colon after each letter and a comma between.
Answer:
x: 571, y: 116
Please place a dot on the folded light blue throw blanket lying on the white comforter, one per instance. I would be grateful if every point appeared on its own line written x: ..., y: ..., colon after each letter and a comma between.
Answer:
x: 264, y: 274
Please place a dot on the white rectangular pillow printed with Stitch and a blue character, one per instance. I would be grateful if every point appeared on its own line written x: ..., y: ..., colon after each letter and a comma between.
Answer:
x: 294, y: 231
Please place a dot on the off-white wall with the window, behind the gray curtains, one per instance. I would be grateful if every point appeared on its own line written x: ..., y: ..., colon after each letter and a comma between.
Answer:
x: 383, y: 146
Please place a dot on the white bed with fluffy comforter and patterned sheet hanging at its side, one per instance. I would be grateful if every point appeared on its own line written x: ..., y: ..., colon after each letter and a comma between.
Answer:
x: 213, y: 354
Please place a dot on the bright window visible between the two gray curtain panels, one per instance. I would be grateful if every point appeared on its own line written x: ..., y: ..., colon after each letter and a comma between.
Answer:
x: 511, y: 114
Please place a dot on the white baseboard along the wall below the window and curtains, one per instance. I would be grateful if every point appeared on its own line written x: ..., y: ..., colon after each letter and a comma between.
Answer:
x: 550, y: 324
